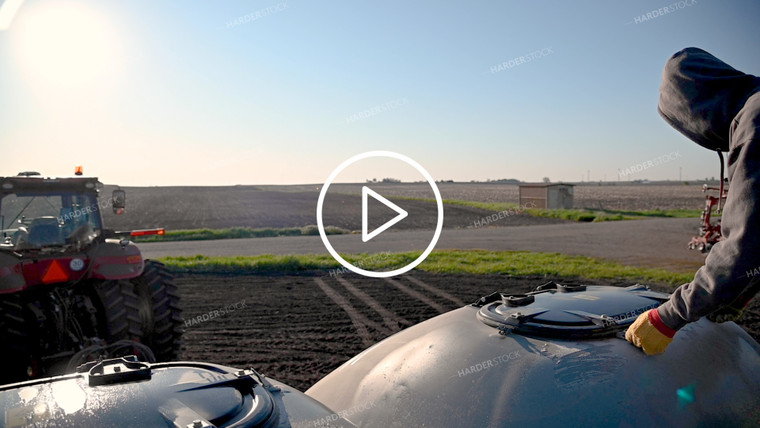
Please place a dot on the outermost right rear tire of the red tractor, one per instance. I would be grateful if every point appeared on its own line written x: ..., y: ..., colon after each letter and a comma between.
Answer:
x: 159, y: 310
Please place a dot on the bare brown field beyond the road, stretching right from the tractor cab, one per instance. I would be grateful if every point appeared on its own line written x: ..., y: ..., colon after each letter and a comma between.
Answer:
x: 249, y: 206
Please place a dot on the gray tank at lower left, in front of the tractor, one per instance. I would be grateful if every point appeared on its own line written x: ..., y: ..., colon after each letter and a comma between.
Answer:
x: 122, y: 392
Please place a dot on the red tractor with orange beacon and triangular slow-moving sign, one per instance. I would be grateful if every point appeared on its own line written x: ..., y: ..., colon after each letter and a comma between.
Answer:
x: 72, y: 291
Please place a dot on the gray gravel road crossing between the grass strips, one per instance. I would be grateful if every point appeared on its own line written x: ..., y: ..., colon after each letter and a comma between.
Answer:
x: 657, y: 242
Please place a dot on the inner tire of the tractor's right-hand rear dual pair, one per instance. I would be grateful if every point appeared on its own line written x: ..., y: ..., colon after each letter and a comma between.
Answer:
x: 119, y: 314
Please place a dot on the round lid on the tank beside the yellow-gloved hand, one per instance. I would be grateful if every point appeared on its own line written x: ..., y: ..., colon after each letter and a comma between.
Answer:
x: 568, y: 311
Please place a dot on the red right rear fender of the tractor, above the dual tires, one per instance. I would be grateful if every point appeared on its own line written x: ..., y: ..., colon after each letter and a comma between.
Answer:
x: 113, y: 260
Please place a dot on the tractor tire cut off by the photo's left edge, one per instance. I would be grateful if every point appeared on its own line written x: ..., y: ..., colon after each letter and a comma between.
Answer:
x: 14, y: 340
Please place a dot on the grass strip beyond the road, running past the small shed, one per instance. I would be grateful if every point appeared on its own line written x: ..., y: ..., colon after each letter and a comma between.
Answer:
x: 584, y: 215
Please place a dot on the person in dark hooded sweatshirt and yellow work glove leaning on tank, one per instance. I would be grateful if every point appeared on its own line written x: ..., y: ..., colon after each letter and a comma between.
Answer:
x: 717, y: 107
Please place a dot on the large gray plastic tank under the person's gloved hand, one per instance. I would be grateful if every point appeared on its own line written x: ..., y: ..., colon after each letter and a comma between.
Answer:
x: 553, y: 357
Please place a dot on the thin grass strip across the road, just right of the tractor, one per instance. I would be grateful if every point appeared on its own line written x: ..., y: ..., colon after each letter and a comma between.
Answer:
x: 237, y: 232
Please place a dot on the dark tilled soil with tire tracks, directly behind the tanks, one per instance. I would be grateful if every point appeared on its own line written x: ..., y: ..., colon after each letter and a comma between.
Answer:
x: 298, y: 328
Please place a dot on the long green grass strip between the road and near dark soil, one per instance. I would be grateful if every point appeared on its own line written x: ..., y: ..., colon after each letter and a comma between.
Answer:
x: 513, y: 263
